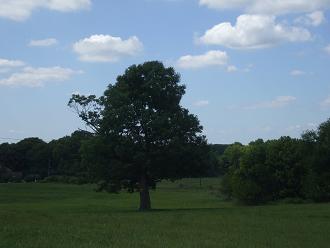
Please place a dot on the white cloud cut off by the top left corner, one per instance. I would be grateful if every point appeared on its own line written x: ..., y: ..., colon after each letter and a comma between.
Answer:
x: 20, y: 10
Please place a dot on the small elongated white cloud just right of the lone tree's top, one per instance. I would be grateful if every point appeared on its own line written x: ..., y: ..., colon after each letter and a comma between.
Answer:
x: 211, y: 58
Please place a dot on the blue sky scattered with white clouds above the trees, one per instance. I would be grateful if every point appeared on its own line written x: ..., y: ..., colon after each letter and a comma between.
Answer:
x: 252, y: 68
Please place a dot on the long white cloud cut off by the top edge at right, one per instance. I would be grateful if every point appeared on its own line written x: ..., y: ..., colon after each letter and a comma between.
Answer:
x: 272, y: 7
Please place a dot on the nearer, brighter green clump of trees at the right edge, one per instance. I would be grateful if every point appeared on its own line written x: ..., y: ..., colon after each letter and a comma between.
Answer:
x: 271, y: 170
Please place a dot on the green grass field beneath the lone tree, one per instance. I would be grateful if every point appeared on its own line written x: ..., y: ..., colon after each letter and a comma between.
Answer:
x: 184, y: 215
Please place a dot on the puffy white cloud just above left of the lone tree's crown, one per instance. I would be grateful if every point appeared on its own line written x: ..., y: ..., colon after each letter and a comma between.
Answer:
x: 106, y: 48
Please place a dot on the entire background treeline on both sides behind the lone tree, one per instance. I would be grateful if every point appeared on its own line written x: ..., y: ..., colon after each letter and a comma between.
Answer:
x: 256, y: 173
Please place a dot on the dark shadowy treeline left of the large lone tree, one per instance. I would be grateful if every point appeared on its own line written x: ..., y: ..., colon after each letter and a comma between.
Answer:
x: 32, y: 159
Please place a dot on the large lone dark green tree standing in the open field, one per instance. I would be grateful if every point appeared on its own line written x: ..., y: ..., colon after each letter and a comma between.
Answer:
x: 142, y: 133
